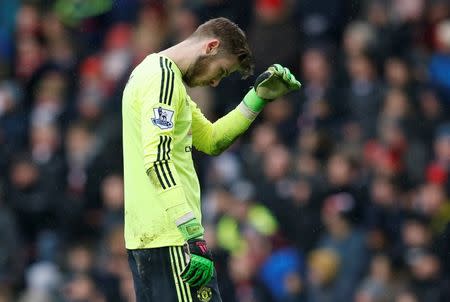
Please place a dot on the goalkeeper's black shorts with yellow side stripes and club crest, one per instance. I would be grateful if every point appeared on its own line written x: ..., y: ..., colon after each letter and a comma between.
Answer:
x: 156, y: 276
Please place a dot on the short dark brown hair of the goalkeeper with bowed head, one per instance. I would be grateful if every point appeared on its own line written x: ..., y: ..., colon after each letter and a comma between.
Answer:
x: 233, y: 41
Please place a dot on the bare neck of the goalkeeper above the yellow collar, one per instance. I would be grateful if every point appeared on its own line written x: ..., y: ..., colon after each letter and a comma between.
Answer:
x: 182, y: 54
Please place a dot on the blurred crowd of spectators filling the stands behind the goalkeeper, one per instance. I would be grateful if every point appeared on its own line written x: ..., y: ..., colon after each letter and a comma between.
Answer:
x: 339, y: 192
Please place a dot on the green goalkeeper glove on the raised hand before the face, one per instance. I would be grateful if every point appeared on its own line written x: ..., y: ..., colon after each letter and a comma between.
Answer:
x: 276, y: 81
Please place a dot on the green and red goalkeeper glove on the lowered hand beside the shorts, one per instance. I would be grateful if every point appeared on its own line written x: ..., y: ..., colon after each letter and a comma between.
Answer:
x: 200, y: 268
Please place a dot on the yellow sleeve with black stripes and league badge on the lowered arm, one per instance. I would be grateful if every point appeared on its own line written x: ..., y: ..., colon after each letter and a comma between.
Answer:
x: 160, y: 101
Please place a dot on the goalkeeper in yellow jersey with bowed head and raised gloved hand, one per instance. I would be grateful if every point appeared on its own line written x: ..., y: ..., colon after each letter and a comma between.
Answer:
x: 167, y: 253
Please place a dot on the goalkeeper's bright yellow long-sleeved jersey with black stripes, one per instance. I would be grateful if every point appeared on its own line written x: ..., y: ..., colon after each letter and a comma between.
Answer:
x: 160, y: 125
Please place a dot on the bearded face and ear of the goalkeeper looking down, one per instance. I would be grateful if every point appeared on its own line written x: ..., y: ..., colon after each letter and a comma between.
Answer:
x: 210, y: 67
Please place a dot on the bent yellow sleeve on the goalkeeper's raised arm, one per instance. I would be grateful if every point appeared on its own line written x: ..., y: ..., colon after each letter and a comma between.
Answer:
x: 214, y: 138
